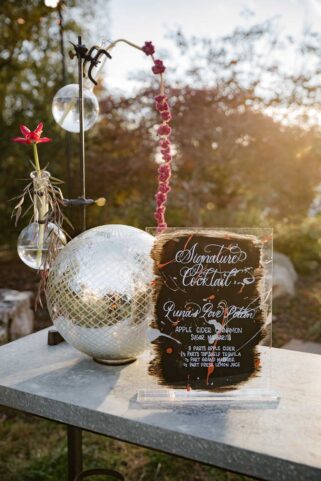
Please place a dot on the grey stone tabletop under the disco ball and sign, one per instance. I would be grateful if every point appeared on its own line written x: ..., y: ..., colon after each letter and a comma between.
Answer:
x: 281, y: 441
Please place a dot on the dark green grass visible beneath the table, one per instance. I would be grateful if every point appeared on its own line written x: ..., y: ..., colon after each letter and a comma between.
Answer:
x: 33, y: 449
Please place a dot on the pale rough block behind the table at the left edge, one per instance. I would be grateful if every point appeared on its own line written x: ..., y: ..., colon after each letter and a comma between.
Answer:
x: 16, y: 315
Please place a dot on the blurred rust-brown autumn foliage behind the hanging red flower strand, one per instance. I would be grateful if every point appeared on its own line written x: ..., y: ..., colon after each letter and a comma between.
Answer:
x: 233, y: 165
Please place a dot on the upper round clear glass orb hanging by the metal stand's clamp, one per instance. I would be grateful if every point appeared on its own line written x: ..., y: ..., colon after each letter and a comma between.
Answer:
x: 65, y: 108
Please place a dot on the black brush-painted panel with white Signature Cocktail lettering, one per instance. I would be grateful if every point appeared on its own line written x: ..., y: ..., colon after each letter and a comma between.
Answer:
x: 208, y: 308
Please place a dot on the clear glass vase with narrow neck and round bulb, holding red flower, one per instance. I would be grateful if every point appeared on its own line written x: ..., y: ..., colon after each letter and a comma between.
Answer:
x: 40, y: 238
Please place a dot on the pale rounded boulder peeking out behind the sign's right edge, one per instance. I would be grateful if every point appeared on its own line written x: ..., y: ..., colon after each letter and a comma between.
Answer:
x: 284, y: 276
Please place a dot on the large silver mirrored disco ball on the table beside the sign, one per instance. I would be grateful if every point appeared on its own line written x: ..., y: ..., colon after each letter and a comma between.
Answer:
x: 99, y: 292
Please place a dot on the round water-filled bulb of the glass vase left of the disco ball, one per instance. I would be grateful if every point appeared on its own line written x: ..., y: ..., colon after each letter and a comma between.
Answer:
x: 34, y: 243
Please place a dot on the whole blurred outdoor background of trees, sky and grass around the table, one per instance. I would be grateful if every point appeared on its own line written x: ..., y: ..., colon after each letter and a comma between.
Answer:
x: 244, y: 82
